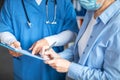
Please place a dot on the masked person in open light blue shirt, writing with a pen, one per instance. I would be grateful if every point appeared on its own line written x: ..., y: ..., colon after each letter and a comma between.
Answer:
x: 96, y: 53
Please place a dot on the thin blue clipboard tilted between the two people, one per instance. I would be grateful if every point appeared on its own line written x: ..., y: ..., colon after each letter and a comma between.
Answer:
x: 24, y: 52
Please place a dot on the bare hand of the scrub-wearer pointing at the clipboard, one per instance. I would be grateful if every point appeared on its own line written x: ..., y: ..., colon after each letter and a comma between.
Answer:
x: 37, y: 46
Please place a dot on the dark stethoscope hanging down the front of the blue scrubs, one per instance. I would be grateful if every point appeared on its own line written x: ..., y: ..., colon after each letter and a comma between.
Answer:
x: 47, y: 19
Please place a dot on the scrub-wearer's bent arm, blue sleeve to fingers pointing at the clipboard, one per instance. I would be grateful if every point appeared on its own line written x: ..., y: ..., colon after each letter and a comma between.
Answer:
x: 68, y: 31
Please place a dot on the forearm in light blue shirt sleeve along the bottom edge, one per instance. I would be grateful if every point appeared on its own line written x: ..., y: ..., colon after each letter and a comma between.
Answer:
x: 79, y: 72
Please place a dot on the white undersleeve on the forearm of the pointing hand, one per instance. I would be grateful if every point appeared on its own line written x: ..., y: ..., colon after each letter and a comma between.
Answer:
x: 61, y: 38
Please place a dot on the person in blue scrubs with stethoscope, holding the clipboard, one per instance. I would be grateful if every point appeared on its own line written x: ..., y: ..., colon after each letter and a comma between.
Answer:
x: 25, y: 23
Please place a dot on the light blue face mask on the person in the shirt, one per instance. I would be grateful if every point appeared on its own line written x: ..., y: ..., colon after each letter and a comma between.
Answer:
x: 91, y: 4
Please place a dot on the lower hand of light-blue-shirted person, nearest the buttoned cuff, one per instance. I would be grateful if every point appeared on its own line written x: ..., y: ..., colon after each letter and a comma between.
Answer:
x: 61, y: 65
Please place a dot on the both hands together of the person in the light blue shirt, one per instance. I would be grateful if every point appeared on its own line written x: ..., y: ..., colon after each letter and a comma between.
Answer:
x: 54, y: 60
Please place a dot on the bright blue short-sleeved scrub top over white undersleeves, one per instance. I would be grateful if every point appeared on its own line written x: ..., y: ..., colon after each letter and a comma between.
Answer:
x: 13, y: 19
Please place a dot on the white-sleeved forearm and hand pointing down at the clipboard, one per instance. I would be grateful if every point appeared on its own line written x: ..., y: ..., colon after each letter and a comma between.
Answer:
x: 61, y: 39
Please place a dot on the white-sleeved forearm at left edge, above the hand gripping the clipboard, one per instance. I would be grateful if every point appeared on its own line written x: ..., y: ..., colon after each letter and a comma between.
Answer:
x: 7, y: 37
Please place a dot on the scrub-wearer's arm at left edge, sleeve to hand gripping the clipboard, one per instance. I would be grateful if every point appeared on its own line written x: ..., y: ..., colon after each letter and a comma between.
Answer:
x: 6, y: 30
